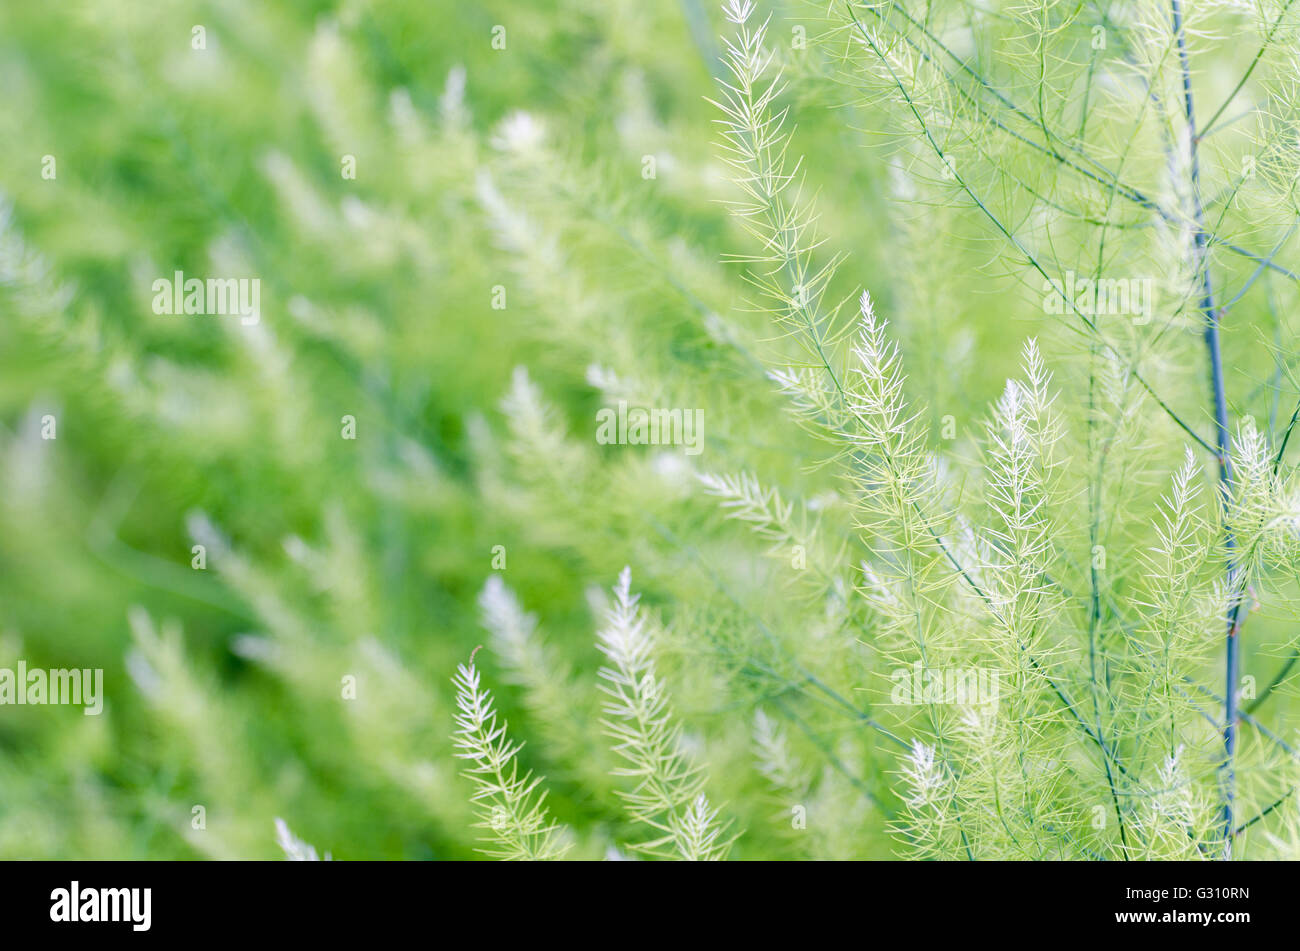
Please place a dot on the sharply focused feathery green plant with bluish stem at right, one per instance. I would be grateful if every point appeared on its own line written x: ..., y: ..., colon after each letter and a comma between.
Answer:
x: 1039, y: 554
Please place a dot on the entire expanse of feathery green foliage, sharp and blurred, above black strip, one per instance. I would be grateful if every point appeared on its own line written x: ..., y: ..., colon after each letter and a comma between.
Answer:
x: 987, y: 548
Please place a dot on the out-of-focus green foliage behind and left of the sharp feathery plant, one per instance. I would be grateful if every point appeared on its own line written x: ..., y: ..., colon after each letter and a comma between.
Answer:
x: 479, y: 172
